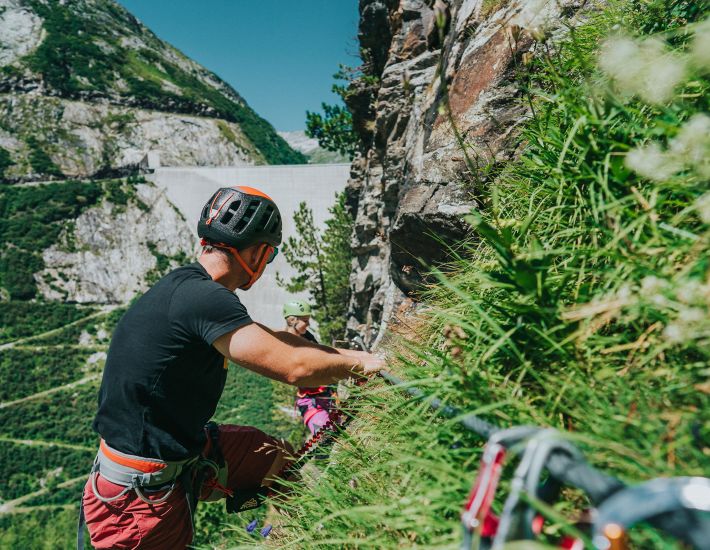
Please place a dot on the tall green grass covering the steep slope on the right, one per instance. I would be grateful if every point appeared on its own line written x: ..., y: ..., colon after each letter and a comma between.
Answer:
x: 580, y: 302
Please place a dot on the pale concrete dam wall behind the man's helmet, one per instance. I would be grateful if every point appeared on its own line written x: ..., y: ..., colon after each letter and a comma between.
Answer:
x: 317, y: 184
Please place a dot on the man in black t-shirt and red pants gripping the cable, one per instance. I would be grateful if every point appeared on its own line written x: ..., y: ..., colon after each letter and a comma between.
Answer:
x: 164, y: 374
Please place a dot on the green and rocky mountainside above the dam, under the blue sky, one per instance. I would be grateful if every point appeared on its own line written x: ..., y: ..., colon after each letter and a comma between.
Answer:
x: 86, y: 89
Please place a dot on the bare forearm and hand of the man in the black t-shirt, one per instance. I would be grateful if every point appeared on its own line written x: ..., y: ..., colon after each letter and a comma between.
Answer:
x: 286, y: 360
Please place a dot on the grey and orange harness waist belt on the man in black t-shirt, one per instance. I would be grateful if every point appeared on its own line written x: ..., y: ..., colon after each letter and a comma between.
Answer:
x: 135, y: 471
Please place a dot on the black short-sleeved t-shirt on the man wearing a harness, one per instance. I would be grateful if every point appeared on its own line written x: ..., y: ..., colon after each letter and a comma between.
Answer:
x: 163, y: 378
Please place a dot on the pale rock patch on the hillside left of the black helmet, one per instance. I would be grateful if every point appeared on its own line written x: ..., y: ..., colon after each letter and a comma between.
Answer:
x: 107, y: 255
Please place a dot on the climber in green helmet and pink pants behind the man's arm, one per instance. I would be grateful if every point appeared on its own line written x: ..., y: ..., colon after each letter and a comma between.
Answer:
x: 314, y: 403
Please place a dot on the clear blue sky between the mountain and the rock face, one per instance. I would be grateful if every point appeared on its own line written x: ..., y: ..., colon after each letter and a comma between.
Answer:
x: 280, y: 55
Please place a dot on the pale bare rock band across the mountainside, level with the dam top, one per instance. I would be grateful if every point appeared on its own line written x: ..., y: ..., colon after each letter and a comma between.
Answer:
x: 83, y: 138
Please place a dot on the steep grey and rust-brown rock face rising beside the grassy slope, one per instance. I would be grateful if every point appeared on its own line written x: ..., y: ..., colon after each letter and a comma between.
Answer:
x: 411, y: 183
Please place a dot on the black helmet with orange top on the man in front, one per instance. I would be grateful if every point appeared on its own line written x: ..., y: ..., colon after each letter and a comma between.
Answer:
x: 240, y: 217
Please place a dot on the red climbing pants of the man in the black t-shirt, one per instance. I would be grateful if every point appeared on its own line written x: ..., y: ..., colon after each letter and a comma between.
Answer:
x: 128, y: 522
